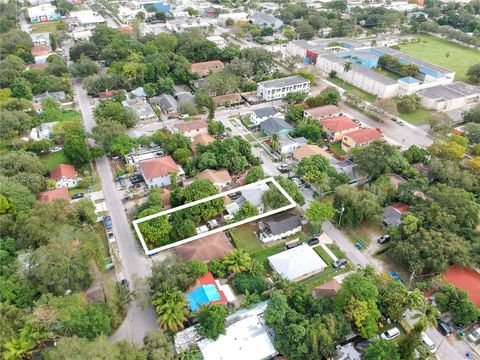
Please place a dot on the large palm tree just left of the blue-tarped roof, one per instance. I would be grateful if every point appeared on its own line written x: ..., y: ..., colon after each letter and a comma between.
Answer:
x: 171, y: 307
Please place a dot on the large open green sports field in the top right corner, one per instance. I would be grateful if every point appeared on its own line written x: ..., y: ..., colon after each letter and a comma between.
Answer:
x: 435, y: 50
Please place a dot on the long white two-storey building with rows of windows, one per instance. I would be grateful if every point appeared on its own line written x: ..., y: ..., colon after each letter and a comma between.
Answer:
x: 279, y: 88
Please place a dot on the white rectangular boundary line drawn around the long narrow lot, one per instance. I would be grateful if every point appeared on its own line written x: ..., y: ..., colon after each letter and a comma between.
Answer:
x: 135, y: 223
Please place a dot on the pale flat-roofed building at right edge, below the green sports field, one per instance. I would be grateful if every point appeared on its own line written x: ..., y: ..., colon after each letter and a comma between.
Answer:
x: 449, y: 97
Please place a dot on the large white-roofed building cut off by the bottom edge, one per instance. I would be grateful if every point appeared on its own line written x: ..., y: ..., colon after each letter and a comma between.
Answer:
x: 247, y: 337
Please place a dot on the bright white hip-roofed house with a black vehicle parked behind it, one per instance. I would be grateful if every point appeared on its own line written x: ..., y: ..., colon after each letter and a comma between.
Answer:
x: 297, y: 263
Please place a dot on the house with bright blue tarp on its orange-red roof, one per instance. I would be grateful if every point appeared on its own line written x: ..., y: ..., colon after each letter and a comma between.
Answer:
x: 205, y: 291
